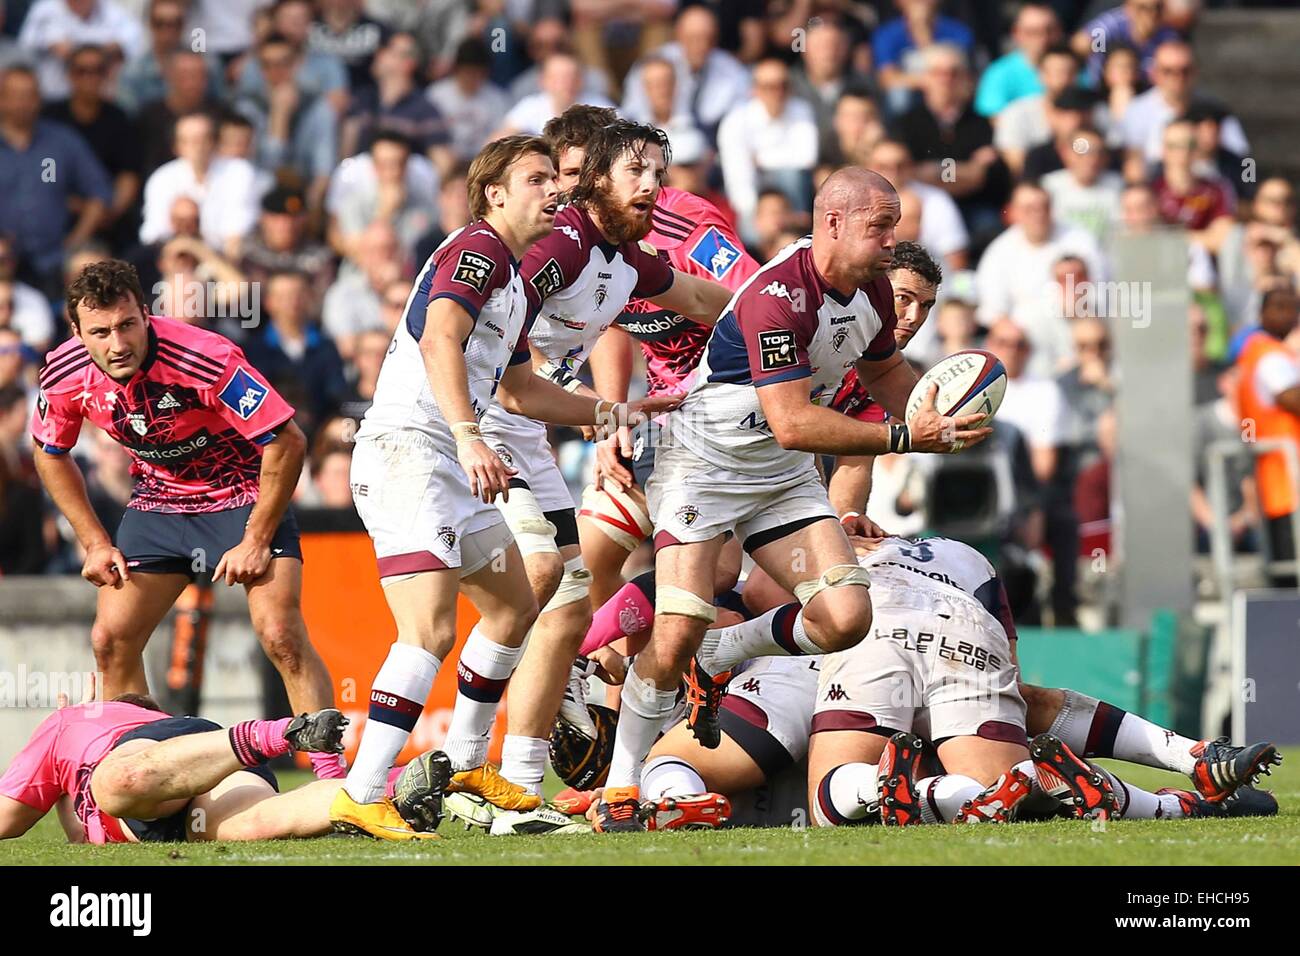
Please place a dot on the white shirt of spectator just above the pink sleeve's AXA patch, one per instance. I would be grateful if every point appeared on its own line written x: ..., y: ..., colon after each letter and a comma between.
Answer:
x: 751, y: 140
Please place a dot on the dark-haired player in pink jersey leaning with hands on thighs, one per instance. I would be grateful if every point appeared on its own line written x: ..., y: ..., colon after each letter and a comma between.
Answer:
x: 216, y: 457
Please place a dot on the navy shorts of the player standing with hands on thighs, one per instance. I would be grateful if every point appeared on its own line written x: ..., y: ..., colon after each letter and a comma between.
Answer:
x: 193, y: 544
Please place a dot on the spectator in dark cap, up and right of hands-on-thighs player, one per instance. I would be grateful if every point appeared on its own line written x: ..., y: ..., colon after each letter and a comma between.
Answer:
x: 281, y: 244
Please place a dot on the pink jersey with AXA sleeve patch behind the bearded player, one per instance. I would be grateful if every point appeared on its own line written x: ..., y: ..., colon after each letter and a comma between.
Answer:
x: 699, y: 241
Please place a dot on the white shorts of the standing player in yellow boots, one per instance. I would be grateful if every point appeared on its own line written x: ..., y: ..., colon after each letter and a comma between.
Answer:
x: 417, y: 504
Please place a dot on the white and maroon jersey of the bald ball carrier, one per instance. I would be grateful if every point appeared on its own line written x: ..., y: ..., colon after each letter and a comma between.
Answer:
x: 785, y: 323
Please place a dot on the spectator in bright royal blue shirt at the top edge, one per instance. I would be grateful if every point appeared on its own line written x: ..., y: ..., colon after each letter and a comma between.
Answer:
x: 900, y: 45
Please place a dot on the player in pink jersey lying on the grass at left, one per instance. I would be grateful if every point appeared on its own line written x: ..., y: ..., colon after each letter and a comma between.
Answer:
x: 124, y: 772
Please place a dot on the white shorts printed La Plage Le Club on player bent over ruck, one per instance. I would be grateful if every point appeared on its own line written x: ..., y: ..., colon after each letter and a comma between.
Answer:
x: 935, y: 664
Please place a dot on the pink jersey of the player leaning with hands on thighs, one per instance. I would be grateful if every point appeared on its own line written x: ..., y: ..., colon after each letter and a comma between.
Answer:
x: 194, y: 417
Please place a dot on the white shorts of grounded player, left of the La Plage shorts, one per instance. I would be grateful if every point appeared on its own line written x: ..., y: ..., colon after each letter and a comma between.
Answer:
x: 769, y: 710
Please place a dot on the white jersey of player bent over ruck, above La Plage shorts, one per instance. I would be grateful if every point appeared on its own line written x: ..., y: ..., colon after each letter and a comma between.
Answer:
x: 944, y: 564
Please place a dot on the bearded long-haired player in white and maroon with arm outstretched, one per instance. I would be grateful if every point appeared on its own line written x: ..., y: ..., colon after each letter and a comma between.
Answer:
x: 583, y: 274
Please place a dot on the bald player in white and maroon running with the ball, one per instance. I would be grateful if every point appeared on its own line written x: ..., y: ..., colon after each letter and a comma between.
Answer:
x: 739, y: 457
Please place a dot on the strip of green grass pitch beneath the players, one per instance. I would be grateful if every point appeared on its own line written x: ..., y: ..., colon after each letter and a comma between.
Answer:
x: 1197, y: 842
